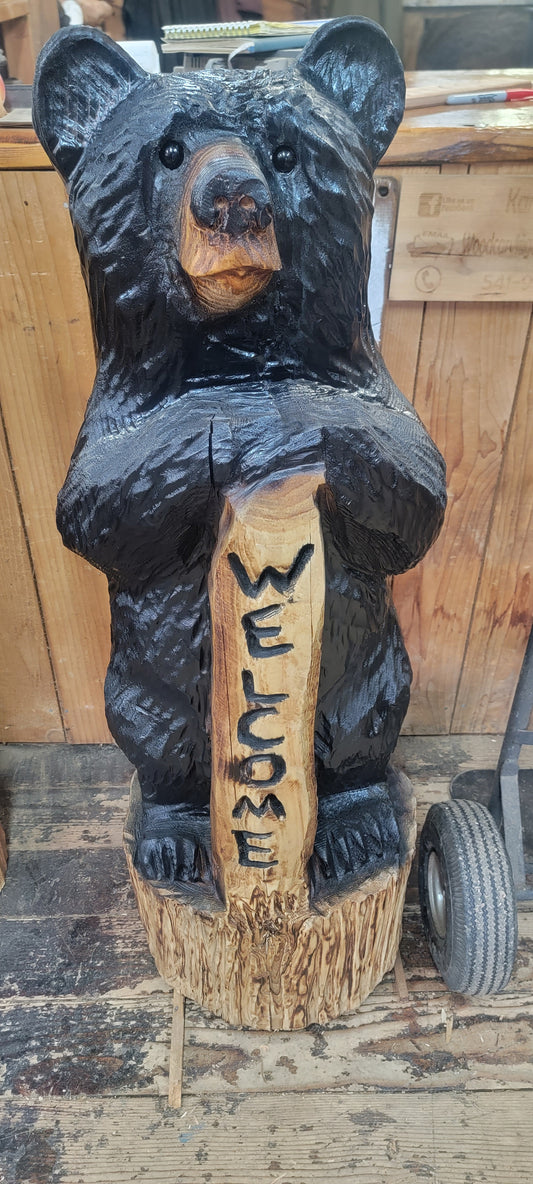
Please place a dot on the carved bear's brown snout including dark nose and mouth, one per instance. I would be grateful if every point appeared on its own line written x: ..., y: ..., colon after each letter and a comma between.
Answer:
x: 228, y: 241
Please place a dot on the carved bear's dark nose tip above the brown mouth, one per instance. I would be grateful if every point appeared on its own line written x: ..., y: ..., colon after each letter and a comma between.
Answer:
x: 232, y: 201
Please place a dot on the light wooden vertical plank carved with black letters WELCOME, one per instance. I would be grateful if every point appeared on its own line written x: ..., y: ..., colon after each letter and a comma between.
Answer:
x: 267, y: 600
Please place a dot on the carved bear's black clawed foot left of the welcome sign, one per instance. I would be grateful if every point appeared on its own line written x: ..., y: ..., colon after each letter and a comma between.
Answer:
x: 174, y: 844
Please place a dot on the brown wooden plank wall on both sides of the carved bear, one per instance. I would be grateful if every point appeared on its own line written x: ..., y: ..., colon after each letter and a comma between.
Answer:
x: 466, y: 612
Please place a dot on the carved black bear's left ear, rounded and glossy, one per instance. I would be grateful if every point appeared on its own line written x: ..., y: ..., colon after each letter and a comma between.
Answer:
x: 81, y: 75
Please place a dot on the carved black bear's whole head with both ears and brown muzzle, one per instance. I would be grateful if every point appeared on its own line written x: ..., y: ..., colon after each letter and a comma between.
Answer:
x: 223, y: 218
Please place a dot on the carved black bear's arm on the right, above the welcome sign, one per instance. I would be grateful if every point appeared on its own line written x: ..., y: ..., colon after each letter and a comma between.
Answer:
x: 384, y: 497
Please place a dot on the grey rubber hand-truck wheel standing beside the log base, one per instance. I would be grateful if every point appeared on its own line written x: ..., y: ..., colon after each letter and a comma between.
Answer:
x: 467, y: 898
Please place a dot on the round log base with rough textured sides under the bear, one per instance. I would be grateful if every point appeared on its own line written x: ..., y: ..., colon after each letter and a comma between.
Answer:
x: 261, y: 966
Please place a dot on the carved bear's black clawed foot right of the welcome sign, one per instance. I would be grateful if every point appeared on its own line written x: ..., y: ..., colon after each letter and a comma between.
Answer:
x: 357, y: 836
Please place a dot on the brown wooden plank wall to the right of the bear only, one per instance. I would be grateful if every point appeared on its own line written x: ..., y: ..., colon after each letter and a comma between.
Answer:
x: 467, y: 609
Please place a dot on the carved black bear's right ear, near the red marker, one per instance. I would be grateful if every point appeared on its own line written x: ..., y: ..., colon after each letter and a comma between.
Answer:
x: 355, y: 65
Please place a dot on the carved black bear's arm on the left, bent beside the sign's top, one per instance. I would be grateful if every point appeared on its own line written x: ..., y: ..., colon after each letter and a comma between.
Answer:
x: 138, y: 499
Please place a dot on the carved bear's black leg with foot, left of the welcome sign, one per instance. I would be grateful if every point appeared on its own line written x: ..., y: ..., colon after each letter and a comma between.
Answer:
x: 158, y: 705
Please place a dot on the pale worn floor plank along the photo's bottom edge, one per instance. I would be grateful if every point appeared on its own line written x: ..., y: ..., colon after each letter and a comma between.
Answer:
x: 454, y: 1138
